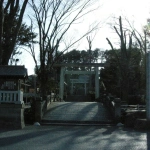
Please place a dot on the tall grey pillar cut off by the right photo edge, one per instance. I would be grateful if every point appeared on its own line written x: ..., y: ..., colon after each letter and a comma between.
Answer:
x: 148, y: 86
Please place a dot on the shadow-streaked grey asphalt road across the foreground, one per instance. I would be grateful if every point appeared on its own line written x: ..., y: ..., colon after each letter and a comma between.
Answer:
x: 74, y: 138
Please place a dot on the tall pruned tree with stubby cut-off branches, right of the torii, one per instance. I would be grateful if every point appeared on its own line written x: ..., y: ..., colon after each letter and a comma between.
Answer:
x: 125, y: 61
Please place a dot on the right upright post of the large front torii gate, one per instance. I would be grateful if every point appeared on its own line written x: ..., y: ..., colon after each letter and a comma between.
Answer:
x: 96, y: 83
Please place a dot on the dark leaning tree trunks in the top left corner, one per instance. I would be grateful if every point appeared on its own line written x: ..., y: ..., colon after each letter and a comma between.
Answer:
x: 9, y: 9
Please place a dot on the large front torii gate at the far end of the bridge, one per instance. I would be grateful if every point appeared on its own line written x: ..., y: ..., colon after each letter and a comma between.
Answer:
x: 63, y: 72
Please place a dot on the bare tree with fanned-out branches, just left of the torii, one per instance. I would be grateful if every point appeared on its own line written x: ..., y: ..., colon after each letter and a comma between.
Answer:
x: 54, y: 19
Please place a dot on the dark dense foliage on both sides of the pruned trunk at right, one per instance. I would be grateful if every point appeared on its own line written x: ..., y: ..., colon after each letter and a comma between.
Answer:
x: 111, y: 75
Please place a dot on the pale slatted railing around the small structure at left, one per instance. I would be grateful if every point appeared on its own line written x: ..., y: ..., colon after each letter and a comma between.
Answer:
x: 11, y: 97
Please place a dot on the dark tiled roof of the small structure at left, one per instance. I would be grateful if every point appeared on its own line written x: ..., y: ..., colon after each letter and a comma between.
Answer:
x: 18, y: 71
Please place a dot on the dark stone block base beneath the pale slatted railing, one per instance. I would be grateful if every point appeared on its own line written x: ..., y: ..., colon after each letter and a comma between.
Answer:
x: 12, y: 116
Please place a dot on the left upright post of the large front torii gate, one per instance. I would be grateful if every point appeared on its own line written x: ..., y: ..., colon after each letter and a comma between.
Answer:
x: 61, y: 87
